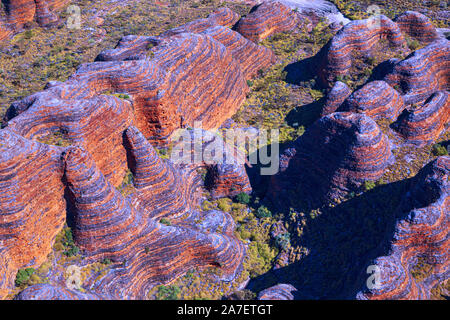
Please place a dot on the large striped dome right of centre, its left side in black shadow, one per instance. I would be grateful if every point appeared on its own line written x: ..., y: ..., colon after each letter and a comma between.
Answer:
x: 335, y: 155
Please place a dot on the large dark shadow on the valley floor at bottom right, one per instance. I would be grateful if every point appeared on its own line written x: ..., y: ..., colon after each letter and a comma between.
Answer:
x: 342, y: 242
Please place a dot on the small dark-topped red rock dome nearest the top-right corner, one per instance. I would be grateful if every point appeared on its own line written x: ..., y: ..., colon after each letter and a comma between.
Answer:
x: 417, y: 25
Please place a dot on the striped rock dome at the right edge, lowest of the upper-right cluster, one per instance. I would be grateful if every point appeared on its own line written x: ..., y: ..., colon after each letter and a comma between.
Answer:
x: 425, y: 124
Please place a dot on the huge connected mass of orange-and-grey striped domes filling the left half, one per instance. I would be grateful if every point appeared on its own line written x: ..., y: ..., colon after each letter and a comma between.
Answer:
x: 186, y: 77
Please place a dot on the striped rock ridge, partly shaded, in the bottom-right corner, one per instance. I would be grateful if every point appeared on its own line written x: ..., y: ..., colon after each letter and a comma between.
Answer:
x: 422, y: 232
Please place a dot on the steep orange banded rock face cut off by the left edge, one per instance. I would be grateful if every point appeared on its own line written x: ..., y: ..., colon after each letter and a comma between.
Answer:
x: 32, y: 206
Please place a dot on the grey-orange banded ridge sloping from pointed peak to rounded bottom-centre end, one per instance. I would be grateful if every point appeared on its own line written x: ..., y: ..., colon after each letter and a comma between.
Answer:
x: 147, y: 253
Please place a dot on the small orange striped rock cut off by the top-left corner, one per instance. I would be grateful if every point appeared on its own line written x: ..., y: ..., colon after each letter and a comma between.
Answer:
x: 17, y: 13
